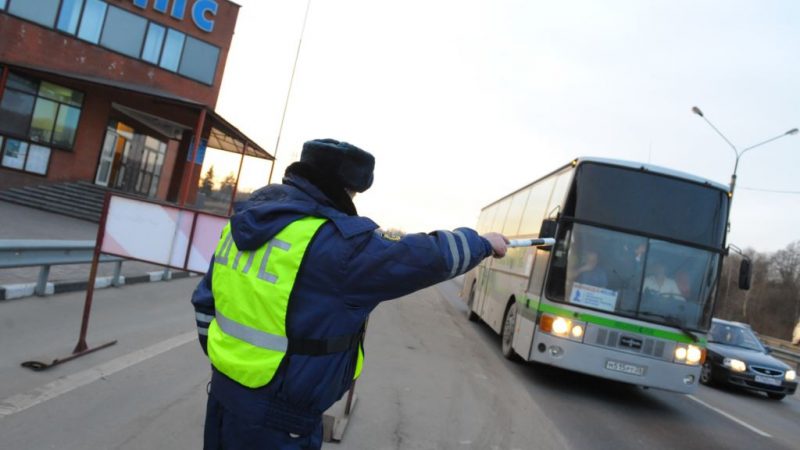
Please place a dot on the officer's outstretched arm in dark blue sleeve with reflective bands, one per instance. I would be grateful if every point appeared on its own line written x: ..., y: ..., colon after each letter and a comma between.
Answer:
x: 383, y: 268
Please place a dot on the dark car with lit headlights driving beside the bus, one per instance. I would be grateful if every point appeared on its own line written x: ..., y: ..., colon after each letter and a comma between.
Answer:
x: 736, y: 357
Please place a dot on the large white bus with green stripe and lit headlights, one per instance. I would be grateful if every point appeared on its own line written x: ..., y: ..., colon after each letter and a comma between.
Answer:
x: 627, y: 292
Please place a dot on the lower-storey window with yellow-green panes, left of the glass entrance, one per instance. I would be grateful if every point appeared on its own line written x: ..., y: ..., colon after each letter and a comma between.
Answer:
x: 41, y: 112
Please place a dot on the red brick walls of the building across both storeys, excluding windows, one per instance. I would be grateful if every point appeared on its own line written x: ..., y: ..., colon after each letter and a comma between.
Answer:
x: 42, y: 53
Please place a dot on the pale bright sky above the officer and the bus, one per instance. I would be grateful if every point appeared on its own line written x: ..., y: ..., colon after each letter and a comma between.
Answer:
x: 463, y: 101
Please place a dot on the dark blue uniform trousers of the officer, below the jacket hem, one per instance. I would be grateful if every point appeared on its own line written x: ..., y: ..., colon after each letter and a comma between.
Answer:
x: 226, y: 431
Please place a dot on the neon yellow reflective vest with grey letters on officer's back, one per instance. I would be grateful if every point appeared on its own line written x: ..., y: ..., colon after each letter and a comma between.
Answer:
x: 247, y: 338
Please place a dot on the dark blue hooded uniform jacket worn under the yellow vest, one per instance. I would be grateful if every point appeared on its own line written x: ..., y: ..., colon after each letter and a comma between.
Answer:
x: 348, y: 269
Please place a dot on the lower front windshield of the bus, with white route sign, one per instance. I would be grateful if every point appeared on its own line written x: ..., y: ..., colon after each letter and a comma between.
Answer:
x: 633, y: 276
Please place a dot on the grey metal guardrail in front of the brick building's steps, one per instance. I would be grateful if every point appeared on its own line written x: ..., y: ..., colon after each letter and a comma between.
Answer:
x: 47, y: 253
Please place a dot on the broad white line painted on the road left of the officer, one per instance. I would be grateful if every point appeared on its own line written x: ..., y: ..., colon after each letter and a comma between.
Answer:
x: 20, y: 402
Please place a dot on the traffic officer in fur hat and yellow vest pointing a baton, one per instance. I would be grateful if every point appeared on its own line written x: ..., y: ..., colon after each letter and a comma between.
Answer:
x: 281, y: 311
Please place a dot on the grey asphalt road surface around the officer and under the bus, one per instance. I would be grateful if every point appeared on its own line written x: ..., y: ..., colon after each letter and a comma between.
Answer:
x: 432, y: 380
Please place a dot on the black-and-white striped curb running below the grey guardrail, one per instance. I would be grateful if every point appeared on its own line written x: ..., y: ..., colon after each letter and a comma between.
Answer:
x: 24, y: 290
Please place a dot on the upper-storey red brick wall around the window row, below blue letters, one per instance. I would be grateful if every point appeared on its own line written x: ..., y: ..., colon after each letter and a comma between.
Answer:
x: 29, y: 44
